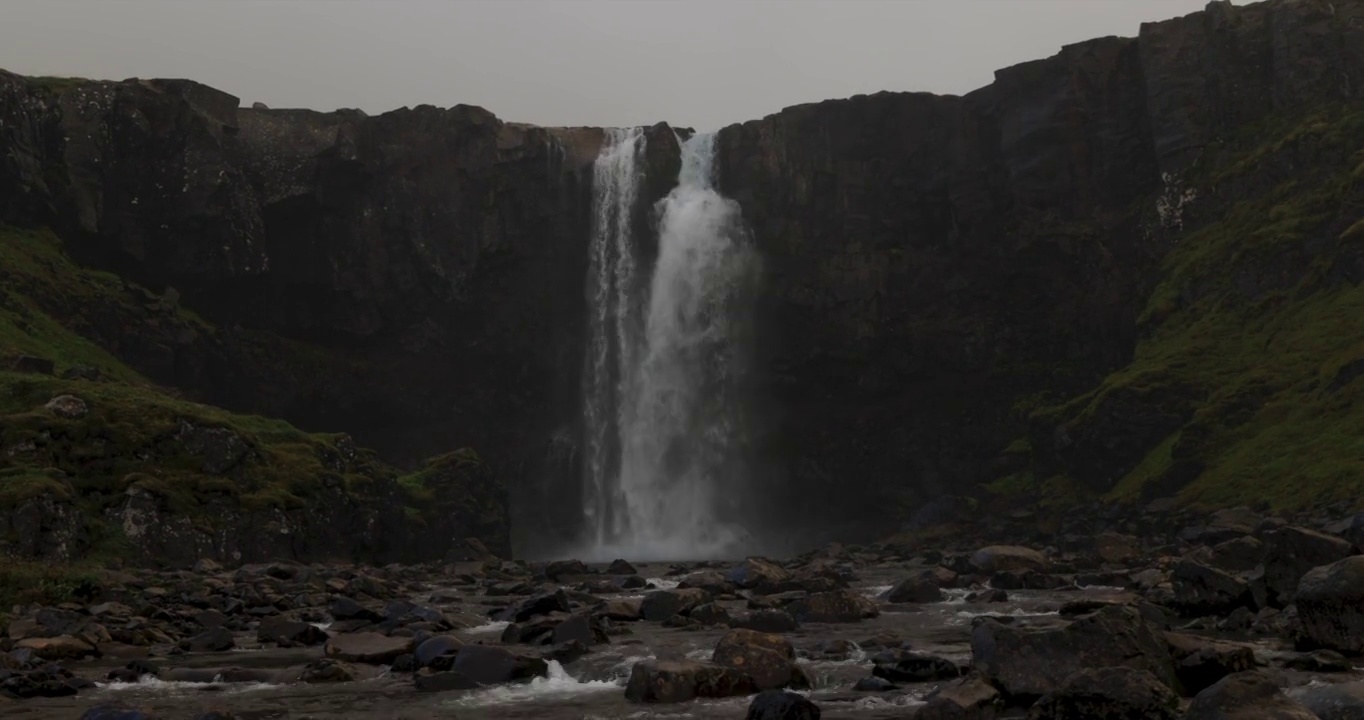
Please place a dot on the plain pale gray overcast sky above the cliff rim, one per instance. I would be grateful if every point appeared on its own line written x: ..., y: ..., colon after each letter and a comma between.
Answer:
x: 702, y: 63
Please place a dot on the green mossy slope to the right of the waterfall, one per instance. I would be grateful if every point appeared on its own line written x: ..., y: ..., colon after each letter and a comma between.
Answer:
x: 1253, y: 343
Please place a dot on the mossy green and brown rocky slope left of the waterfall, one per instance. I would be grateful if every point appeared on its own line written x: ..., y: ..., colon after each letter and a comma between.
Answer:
x: 132, y: 433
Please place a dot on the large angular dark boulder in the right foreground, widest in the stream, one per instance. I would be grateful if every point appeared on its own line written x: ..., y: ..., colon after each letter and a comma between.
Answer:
x: 1028, y: 663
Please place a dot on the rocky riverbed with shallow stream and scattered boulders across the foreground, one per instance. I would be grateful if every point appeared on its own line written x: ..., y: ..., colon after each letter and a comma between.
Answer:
x: 1242, y: 617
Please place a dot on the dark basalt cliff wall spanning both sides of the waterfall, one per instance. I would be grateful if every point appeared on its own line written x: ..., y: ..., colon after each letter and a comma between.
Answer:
x: 953, y: 284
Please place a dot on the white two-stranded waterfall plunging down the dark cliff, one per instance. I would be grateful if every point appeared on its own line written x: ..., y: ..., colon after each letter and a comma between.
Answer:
x: 666, y: 426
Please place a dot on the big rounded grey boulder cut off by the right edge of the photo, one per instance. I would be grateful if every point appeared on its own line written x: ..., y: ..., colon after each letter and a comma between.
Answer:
x: 1331, y: 607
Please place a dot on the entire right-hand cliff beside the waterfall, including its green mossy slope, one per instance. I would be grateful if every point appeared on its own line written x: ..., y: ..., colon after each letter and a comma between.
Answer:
x: 988, y: 288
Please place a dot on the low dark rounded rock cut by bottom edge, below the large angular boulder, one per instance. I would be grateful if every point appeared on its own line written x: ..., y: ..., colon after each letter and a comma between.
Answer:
x: 1115, y: 693
